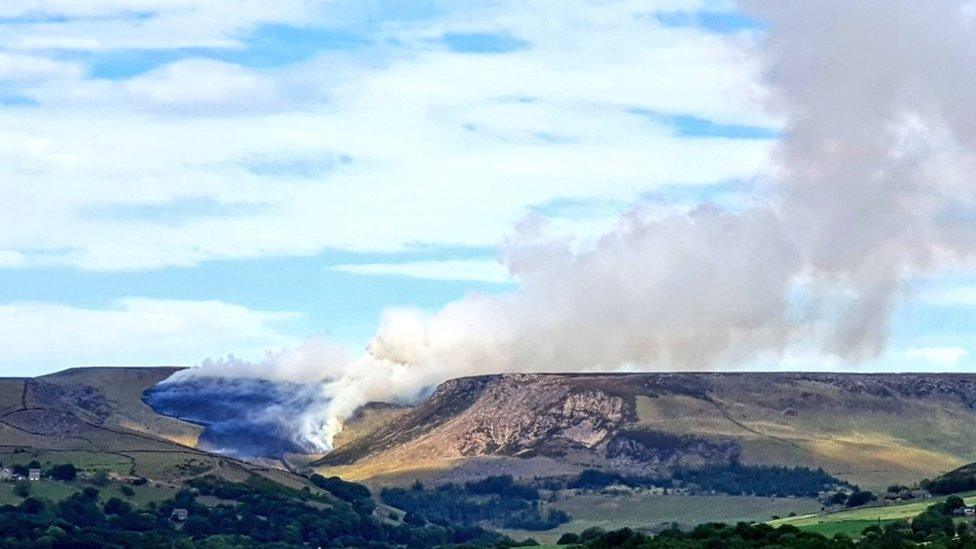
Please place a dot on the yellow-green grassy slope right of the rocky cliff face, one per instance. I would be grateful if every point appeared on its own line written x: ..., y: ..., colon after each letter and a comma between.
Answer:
x: 852, y: 436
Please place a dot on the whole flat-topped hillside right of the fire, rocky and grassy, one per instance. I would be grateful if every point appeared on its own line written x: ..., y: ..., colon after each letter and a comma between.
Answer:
x: 871, y: 429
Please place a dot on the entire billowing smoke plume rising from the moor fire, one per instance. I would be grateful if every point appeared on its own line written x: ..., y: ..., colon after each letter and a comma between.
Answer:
x: 874, y: 186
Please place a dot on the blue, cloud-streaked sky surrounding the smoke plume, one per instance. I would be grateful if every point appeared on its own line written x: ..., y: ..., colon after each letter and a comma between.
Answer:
x: 185, y: 181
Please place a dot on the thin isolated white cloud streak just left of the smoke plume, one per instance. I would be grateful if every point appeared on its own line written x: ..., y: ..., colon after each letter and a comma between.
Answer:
x: 481, y: 270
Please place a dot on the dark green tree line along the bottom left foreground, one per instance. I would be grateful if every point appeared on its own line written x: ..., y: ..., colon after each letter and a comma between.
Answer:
x: 259, y: 513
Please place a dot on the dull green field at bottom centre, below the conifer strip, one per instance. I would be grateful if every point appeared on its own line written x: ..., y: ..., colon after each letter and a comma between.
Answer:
x: 647, y: 510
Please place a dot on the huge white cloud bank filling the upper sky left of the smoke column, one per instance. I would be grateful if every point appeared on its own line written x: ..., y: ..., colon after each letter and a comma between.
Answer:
x: 441, y: 150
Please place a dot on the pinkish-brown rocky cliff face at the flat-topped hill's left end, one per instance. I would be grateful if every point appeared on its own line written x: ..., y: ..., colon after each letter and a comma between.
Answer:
x: 495, y: 415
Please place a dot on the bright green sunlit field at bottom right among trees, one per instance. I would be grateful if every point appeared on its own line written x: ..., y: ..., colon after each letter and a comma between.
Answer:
x: 853, y: 521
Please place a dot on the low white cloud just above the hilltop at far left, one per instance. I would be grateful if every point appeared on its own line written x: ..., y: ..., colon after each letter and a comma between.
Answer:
x: 38, y: 337
